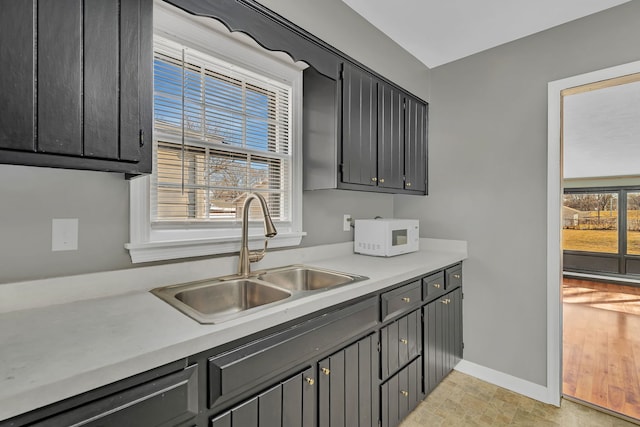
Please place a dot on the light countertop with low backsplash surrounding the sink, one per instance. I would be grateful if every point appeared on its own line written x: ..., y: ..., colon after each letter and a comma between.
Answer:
x: 104, y: 327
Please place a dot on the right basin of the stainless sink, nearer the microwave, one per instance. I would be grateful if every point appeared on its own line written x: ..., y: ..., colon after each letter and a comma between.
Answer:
x: 301, y: 278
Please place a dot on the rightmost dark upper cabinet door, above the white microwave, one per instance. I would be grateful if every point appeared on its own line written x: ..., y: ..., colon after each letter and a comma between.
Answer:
x: 415, y: 147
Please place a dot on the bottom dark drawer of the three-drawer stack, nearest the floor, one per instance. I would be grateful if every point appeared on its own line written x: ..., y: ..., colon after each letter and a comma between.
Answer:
x: 401, y: 394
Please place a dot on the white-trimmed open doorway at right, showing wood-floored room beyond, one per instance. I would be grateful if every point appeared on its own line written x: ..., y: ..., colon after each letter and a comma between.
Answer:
x: 599, y: 186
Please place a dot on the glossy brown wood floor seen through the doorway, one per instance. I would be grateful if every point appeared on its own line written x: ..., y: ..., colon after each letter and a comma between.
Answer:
x: 601, y: 342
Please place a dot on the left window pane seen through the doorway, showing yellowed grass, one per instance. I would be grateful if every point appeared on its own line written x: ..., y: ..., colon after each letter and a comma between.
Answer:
x: 590, y: 222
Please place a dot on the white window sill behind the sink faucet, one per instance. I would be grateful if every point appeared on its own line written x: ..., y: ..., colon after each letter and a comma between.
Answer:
x: 172, y: 249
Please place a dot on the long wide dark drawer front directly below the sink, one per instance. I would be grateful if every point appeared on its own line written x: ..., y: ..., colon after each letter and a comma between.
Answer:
x: 261, y: 362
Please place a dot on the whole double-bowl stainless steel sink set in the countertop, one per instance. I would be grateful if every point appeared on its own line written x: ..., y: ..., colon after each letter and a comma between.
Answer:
x: 226, y: 298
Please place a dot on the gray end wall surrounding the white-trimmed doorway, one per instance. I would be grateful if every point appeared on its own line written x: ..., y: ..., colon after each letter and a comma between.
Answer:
x: 487, y: 170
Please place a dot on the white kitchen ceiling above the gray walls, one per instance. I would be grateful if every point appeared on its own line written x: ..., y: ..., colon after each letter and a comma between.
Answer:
x: 440, y: 31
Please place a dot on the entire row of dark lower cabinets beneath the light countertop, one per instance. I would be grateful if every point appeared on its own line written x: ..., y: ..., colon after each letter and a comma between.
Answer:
x: 363, y: 363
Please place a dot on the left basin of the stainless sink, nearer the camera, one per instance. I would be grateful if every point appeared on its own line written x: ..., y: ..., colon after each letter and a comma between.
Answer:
x: 219, y: 300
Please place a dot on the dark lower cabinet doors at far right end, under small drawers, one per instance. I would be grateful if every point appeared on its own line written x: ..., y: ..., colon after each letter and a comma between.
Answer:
x: 442, y: 337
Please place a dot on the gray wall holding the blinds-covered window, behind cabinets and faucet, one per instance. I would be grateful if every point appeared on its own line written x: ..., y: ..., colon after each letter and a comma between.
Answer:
x: 32, y: 197
